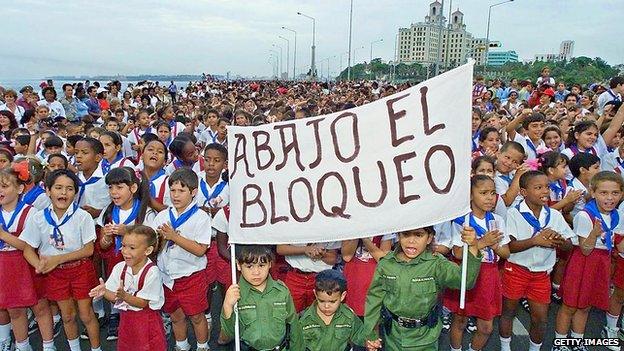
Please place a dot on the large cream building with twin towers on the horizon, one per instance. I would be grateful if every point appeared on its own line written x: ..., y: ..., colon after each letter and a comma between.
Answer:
x: 419, y: 43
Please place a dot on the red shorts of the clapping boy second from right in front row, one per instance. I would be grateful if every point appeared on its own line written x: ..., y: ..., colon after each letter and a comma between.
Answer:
x: 519, y: 282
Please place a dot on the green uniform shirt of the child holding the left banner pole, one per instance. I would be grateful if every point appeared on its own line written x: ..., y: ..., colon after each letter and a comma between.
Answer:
x: 263, y: 317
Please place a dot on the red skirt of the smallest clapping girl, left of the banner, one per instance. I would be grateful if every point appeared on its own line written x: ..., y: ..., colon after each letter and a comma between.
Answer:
x: 141, y: 331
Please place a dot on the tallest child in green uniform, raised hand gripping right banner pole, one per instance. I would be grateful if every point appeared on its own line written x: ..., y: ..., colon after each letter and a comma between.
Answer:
x: 412, y: 267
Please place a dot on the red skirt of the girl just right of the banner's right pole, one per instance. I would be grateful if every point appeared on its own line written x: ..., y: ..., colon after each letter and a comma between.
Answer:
x: 484, y: 300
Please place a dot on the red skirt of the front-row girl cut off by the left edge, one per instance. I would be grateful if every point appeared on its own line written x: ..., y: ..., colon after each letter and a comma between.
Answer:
x: 18, y: 288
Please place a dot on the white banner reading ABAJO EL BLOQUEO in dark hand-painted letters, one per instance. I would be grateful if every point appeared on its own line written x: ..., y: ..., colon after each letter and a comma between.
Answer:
x: 399, y: 163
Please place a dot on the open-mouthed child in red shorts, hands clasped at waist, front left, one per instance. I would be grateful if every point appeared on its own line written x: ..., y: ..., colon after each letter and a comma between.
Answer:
x: 64, y: 234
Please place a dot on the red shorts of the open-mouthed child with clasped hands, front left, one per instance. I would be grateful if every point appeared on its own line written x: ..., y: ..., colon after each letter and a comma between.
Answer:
x: 72, y: 280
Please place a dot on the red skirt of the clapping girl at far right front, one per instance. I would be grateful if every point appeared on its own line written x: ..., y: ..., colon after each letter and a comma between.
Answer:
x: 586, y: 280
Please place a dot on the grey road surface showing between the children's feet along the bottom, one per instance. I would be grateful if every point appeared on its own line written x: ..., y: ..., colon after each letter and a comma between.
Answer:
x: 520, y: 340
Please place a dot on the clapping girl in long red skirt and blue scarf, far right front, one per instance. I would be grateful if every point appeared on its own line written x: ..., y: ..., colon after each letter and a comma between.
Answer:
x: 586, y: 280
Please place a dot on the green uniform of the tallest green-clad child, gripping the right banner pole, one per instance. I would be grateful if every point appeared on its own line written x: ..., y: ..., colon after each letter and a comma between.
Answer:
x: 410, y: 290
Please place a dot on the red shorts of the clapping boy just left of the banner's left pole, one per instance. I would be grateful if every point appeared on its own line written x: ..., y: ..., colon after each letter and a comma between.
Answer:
x: 188, y: 293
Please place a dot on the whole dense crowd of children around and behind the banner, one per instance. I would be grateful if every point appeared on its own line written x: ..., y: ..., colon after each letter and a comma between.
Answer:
x: 131, y: 208
